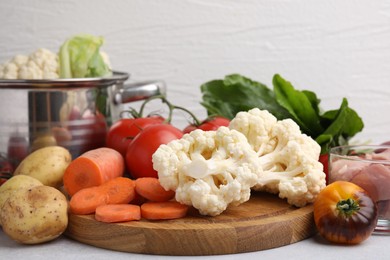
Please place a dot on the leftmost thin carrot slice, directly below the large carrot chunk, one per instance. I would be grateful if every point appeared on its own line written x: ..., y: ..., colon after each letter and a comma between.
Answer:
x: 86, y: 201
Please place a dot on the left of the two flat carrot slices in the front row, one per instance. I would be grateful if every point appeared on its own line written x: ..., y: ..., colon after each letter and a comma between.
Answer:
x: 117, y: 213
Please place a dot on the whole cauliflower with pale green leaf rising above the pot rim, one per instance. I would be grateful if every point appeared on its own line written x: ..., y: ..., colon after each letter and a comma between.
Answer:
x: 79, y: 57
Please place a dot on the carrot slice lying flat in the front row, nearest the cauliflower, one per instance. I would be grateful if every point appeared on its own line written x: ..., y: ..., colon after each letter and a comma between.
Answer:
x: 163, y: 210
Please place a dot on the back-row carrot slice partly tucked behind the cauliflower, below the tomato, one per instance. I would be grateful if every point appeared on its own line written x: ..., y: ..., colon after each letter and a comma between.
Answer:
x: 151, y: 189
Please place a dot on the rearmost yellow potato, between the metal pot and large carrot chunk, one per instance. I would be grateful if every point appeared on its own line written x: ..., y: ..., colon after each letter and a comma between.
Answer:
x: 47, y: 164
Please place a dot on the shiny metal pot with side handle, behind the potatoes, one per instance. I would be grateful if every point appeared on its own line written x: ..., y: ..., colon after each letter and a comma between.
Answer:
x: 73, y: 113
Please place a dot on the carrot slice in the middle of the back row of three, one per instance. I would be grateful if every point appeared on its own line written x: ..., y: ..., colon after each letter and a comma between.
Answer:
x: 120, y: 190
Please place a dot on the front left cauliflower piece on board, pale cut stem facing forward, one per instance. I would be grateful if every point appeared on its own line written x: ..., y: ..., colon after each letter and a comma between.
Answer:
x: 208, y: 170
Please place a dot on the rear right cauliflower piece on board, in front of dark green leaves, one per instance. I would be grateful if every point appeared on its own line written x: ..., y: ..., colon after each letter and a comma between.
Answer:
x: 291, y: 169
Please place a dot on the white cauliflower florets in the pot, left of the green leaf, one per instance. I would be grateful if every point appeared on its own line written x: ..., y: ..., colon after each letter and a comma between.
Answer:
x: 41, y: 64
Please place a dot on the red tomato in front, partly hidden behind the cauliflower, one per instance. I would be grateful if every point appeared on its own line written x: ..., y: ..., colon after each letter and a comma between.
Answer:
x: 140, y: 150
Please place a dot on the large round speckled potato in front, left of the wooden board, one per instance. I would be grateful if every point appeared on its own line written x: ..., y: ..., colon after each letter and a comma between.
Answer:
x: 35, y: 215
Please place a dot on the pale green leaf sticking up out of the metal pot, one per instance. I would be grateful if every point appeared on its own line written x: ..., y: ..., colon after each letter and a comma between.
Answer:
x: 80, y: 57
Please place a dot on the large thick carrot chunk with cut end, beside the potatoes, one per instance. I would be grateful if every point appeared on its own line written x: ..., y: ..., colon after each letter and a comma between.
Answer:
x: 93, y: 168
